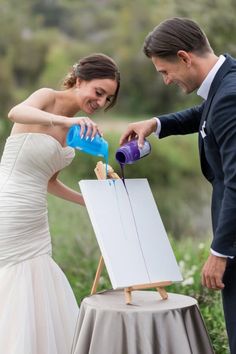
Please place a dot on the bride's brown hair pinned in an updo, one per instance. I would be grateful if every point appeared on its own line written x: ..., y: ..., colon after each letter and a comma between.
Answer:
x: 94, y: 66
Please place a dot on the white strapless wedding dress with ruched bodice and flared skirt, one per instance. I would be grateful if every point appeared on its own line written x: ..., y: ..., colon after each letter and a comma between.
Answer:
x: 38, y: 310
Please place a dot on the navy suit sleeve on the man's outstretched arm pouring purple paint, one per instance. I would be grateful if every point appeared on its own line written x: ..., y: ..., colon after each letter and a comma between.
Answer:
x: 181, y: 123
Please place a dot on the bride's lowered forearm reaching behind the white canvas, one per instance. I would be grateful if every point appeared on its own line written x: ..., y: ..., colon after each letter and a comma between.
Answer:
x: 60, y: 190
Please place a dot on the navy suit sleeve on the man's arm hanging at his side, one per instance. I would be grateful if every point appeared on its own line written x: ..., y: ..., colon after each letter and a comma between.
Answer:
x: 224, y: 129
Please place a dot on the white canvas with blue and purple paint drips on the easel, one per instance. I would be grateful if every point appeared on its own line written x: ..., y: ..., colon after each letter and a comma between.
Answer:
x: 130, y: 232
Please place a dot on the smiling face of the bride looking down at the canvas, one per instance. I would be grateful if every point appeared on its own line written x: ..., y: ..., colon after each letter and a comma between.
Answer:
x: 95, y: 94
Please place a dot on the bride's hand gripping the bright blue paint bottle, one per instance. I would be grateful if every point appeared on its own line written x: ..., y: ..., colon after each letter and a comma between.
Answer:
x: 86, y: 124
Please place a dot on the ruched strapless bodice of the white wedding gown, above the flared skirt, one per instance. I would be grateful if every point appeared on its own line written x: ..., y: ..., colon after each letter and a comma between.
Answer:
x: 28, y: 162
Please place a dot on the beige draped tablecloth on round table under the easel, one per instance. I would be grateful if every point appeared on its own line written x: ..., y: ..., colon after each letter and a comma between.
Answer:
x: 150, y: 325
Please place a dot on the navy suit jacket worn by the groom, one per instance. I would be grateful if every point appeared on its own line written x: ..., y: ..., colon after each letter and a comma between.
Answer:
x: 215, y: 121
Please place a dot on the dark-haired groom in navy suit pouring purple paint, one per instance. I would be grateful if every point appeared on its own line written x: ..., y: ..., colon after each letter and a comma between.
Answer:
x: 181, y: 53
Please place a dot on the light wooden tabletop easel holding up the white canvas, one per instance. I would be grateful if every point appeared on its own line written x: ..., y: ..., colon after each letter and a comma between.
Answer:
x: 100, y: 171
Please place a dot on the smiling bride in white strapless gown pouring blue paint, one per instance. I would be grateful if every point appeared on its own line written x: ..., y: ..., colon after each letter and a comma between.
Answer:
x: 38, y: 310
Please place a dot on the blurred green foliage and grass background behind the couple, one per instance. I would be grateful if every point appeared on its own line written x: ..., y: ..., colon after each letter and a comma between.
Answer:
x: 40, y: 40
